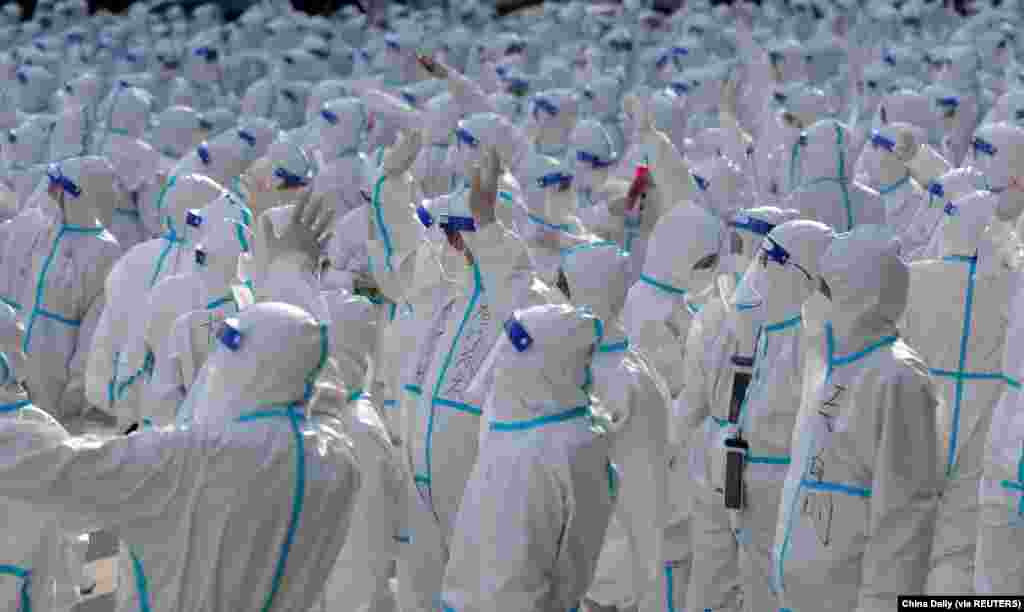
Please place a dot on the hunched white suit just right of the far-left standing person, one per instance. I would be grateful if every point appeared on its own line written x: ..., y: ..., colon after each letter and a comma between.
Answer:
x: 109, y: 373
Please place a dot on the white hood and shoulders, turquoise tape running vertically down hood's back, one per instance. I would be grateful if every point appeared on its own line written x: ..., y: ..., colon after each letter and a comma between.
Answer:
x: 827, y: 194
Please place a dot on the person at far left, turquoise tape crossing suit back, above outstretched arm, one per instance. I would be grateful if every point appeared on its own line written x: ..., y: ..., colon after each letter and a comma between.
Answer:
x: 69, y: 270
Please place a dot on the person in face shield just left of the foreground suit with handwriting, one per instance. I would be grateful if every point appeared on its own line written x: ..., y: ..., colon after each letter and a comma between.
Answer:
x: 783, y: 276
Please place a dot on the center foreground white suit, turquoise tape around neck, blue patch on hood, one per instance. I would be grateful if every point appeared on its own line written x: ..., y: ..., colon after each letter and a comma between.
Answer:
x: 538, y: 503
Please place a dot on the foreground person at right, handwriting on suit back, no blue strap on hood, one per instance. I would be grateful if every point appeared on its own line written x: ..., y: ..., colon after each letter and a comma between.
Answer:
x: 857, y: 516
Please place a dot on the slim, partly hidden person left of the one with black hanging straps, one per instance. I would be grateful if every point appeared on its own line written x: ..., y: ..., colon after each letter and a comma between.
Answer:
x: 720, y: 351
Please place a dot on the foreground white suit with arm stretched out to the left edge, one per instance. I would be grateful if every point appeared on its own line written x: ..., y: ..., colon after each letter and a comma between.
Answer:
x: 186, y: 501
